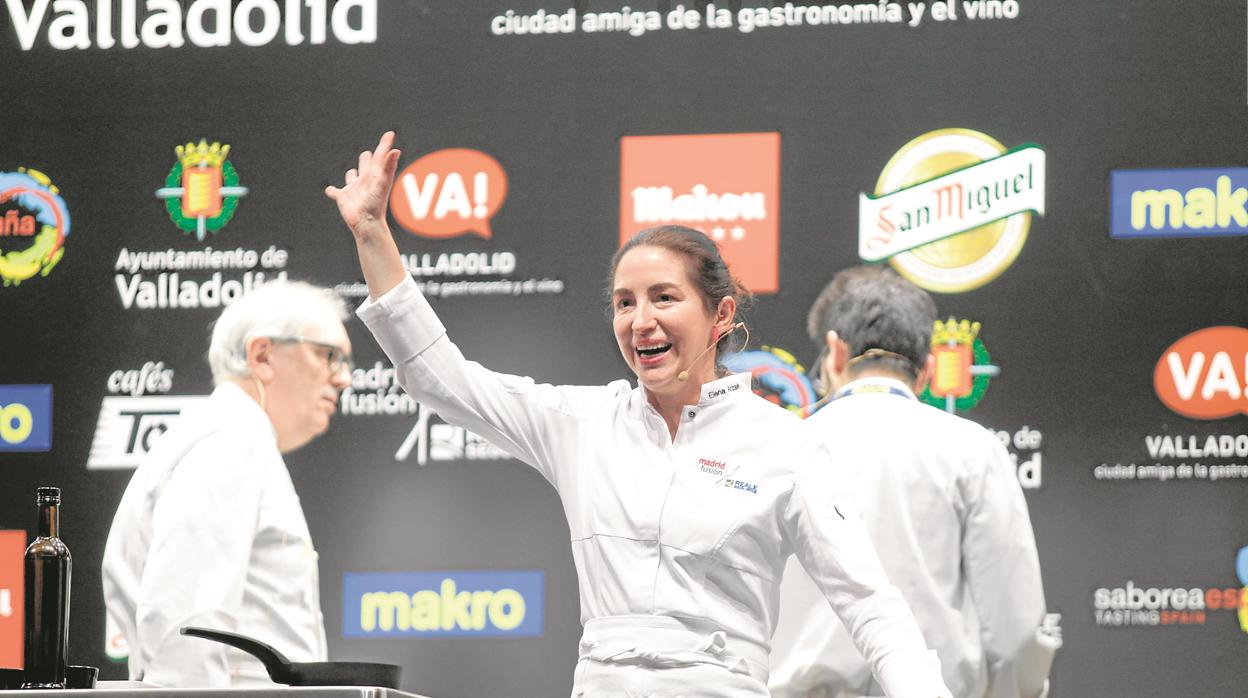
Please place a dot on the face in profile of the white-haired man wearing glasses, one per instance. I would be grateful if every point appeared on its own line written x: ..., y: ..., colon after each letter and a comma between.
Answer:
x: 303, y: 390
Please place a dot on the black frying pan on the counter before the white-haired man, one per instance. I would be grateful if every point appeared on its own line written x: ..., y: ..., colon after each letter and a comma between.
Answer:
x: 305, y: 674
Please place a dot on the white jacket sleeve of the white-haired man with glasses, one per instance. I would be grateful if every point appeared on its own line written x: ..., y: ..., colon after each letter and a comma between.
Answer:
x: 203, y: 530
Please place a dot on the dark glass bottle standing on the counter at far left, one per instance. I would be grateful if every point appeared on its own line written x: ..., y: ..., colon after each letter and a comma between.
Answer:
x: 48, y: 597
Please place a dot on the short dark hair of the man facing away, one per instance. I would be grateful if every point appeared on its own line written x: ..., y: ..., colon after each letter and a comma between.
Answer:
x: 873, y: 308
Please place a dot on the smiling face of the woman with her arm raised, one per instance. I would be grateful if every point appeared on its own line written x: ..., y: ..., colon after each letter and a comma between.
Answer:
x: 662, y: 323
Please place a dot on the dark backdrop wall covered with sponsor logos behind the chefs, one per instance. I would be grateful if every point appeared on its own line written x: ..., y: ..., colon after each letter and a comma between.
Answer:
x: 1085, y: 245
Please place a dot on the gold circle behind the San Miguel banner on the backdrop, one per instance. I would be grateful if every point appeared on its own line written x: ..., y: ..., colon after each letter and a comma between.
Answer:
x: 967, y: 260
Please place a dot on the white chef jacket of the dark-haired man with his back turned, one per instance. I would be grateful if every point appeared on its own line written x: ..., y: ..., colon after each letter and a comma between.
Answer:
x: 943, y: 504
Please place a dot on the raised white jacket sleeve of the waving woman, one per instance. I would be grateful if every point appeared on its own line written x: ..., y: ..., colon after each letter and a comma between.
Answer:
x: 525, y: 419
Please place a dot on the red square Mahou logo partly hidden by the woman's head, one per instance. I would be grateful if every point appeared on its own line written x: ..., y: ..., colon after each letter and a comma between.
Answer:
x: 726, y: 185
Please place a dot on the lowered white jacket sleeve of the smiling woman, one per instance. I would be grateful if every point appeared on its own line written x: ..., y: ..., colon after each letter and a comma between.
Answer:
x: 833, y: 546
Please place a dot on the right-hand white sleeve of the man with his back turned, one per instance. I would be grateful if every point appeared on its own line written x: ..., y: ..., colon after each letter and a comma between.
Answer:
x: 1003, y: 569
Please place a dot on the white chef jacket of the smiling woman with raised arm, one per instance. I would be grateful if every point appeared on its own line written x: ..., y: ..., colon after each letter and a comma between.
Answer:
x: 678, y: 544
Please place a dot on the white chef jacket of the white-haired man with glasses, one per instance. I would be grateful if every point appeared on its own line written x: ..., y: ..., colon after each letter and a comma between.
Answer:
x: 210, y: 533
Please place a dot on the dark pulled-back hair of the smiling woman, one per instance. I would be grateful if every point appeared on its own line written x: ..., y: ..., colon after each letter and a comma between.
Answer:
x: 707, y: 269
